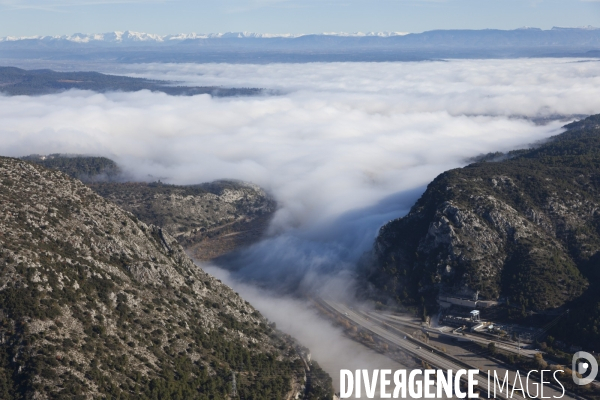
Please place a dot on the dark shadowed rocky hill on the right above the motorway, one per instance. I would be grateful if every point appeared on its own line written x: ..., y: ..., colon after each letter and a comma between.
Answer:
x: 526, y: 229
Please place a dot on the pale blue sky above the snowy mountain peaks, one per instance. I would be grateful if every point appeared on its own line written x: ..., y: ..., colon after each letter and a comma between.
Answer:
x: 53, y: 17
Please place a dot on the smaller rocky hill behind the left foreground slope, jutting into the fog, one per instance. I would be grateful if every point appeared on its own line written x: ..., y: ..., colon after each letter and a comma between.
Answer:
x: 209, y: 220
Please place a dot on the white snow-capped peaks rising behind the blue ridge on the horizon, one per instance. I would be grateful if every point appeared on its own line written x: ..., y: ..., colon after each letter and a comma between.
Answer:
x: 131, y: 36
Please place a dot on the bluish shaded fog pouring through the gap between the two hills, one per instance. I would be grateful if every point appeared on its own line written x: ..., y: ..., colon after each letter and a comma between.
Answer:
x: 318, y: 258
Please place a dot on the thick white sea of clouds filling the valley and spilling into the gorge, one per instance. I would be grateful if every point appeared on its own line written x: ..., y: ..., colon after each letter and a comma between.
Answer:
x: 341, y: 138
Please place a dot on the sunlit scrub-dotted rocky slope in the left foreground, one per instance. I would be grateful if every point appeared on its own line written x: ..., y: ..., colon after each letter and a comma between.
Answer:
x: 95, y: 303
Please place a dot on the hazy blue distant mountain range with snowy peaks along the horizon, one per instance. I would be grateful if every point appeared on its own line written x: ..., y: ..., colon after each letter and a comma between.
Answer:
x: 246, y: 47
